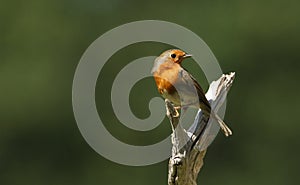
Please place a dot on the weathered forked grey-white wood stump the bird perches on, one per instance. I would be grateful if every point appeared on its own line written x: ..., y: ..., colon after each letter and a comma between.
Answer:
x: 189, y: 147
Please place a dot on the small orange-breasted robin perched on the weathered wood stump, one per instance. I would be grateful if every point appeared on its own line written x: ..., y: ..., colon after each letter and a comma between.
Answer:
x: 177, y: 85
